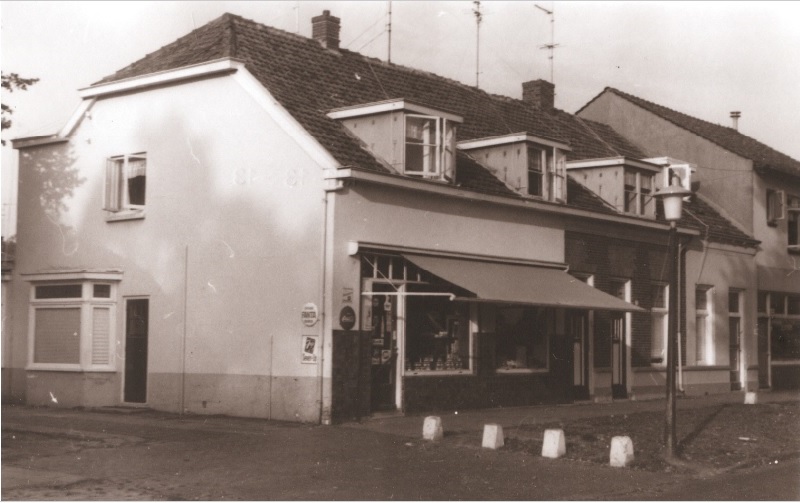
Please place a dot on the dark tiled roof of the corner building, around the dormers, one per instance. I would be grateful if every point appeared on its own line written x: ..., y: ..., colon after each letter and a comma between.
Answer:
x: 309, y: 81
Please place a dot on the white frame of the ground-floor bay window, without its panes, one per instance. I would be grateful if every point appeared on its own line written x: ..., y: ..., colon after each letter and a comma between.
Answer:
x: 86, y: 304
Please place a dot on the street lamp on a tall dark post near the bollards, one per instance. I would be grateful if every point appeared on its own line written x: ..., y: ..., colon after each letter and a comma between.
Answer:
x: 672, y: 198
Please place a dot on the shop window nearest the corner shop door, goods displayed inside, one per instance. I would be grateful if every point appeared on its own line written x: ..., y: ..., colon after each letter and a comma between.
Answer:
x: 437, y: 336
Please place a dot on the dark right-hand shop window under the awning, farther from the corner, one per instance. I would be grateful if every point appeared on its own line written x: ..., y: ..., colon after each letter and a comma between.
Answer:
x: 523, y: 338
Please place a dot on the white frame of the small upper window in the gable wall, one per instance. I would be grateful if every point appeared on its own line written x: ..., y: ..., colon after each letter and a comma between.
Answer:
x: 117, y: 189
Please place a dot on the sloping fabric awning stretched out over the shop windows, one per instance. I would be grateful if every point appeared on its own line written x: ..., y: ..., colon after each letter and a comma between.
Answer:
x: 519, y: 284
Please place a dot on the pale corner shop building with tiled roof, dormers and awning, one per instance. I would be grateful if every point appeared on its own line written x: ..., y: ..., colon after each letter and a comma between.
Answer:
x: 255, y: 223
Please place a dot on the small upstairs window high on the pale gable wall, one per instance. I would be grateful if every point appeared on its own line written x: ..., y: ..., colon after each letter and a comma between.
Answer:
x: 126, y: 183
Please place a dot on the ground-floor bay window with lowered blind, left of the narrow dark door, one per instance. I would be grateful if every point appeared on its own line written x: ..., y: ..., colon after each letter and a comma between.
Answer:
x: 72, y: 326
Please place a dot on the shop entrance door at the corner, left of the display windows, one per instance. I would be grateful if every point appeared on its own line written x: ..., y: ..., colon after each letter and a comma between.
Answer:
x: 383, y: 347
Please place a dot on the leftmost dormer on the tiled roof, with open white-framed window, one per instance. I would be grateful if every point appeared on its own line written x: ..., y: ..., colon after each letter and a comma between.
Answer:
x: 415, y: 140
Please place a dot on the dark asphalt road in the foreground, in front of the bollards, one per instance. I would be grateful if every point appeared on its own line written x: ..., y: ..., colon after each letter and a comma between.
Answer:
x: 82, y: 455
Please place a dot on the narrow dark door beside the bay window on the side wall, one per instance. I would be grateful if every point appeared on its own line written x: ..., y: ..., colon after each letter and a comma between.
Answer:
x: 136, y: 323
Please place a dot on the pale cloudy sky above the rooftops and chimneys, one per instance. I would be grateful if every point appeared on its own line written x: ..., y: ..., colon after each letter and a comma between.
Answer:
x: 704, y: 59
